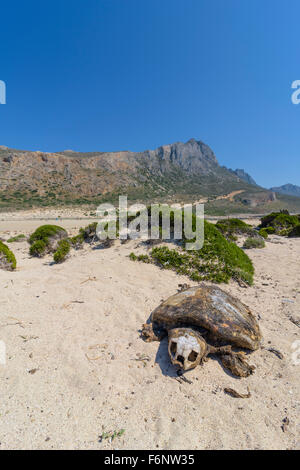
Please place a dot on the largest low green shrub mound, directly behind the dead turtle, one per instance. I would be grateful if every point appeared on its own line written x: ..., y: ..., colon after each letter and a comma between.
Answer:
x: 218, y: 260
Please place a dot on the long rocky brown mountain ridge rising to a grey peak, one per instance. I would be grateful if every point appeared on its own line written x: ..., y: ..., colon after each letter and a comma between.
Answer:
x: 180, y: 172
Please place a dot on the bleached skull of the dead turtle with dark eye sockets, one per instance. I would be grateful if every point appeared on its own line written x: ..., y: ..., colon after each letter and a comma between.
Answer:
x: 186, y: 347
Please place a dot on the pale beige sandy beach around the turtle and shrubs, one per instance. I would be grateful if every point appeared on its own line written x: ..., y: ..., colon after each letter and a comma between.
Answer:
x: 76, y: 367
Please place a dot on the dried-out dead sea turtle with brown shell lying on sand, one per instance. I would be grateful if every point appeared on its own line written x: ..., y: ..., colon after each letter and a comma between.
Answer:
x: 205, y: 320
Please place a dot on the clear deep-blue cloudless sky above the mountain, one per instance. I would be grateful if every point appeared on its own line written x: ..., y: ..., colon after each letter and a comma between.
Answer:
x: 135, y: 74
